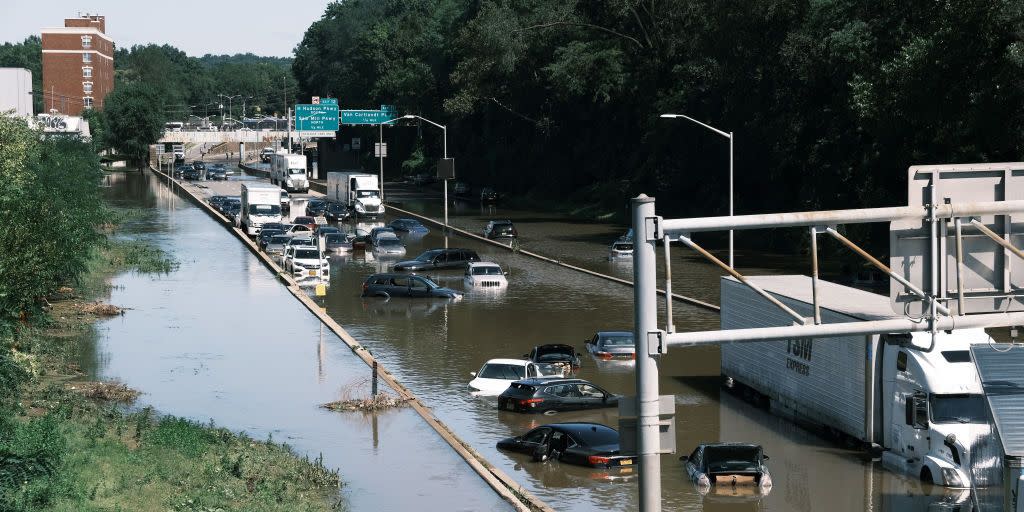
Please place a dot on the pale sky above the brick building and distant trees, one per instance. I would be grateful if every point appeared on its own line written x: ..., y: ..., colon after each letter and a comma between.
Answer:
x: 219, y: 27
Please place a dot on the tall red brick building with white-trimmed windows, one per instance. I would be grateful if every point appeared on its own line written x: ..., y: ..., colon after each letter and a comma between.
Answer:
x: 78, y: 66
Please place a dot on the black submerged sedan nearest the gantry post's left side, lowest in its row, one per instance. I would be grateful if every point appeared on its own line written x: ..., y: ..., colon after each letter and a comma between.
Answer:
x: 590, y: 445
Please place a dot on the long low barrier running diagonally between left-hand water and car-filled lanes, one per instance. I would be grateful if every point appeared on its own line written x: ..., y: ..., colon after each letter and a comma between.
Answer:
x: 521, y: 498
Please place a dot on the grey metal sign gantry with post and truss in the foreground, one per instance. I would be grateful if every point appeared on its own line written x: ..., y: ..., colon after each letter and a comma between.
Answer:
x: 942, y: 217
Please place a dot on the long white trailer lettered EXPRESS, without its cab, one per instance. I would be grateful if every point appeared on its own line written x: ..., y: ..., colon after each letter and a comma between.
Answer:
x: 820, y: 380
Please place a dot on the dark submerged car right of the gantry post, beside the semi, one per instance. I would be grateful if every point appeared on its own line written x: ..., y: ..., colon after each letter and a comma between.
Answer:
x: 715, y: 465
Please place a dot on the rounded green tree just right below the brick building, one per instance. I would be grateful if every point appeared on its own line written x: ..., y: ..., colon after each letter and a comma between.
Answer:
x: 135, y: 117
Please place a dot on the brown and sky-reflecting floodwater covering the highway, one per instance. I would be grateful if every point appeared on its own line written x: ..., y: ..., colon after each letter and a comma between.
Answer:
x: 227, y: 348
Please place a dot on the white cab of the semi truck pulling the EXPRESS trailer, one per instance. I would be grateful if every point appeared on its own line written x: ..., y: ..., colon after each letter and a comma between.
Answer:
x: 936, y: 412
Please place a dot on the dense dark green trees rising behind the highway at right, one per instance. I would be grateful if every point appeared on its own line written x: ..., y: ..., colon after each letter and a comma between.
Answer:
x: 831, y: 101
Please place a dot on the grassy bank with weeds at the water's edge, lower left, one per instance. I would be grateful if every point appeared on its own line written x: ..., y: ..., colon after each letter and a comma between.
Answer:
x: 73, y: 446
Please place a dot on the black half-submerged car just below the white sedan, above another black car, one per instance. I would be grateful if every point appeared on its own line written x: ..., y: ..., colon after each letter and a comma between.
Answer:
x: 543, y: 396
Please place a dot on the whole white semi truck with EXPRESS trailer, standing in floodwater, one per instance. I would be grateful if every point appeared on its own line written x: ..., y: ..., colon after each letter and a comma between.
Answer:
x: 918, y: 400
